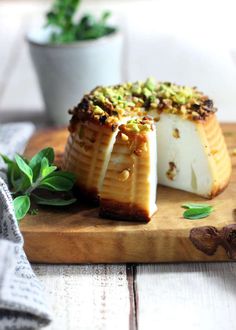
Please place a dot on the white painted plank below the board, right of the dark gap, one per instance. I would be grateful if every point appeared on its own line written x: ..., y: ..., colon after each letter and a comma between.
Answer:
x: 186, y: 296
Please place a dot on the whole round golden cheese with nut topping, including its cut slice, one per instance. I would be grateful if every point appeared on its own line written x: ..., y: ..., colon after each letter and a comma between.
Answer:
x: 191, y: 151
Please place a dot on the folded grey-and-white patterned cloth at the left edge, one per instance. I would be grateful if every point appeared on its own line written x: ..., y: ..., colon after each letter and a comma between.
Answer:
x: 22, y: 302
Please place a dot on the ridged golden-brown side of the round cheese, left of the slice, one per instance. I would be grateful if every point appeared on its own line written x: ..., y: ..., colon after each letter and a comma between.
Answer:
x: 87, y: 154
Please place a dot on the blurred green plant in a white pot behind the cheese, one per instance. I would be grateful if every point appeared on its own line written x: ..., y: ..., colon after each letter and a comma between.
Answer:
x: 72, y: 56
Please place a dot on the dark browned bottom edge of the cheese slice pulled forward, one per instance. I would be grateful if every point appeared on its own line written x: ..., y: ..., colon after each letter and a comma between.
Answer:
x: 123, y: 211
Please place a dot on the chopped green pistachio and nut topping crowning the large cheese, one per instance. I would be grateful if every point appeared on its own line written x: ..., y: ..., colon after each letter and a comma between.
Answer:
x: 108, y: 105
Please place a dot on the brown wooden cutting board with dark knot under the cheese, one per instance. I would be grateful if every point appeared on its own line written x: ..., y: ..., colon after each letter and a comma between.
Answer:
x: 76, y: 234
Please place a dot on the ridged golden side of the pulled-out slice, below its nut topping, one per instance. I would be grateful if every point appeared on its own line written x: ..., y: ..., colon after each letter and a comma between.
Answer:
x: 136, y: 193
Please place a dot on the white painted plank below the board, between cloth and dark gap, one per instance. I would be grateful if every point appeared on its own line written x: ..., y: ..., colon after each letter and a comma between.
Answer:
x: 87, y: 297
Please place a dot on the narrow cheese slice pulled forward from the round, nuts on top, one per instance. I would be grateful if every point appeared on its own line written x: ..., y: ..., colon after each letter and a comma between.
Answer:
x: 130, y: 183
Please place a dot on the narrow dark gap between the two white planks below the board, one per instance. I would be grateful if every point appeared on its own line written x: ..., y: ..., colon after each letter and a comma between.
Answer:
x: 131, y: 271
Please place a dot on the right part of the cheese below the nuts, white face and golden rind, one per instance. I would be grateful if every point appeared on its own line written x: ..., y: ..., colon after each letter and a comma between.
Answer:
x: 192, y: 155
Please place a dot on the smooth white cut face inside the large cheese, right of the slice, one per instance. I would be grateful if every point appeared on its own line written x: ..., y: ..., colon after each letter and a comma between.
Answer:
x: 188, y: 152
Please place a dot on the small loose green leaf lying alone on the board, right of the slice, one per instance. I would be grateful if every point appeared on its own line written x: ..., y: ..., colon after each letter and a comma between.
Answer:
x: 197, y: 211
